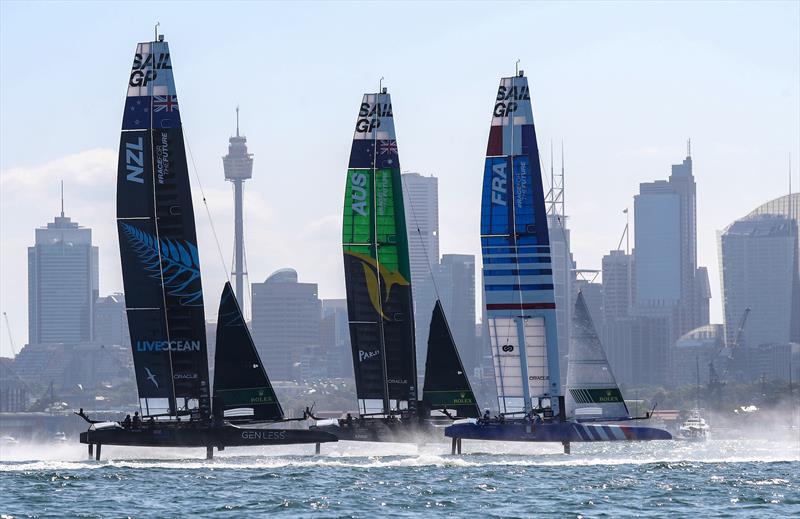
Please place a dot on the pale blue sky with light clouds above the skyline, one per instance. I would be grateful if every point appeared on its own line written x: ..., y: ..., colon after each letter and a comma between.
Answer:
x: 622, y: 84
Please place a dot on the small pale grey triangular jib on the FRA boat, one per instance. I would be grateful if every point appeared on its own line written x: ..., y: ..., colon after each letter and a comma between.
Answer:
x: 592, y: 390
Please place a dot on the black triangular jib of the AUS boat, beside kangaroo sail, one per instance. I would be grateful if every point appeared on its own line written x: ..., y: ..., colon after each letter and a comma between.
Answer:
x: 446, y: 384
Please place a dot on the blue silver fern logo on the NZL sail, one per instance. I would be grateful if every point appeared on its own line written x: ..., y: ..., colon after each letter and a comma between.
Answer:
x: 175, y: 262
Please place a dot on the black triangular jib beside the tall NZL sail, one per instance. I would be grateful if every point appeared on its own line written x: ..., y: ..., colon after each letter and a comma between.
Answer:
x: 241, y: 385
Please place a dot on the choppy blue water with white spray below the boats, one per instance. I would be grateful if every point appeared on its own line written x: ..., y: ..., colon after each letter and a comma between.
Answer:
x: 727, y: 478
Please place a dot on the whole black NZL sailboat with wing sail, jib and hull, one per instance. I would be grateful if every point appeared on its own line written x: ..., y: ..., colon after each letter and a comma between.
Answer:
x: 164, y: 295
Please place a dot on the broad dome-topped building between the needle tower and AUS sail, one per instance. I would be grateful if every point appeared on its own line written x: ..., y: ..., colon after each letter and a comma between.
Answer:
x: 286, y: 321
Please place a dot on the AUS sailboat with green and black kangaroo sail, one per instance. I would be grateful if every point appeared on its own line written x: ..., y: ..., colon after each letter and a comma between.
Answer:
x: 379, y: 296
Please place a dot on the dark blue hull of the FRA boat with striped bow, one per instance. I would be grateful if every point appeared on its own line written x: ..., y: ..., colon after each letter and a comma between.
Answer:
x: 554, y: 432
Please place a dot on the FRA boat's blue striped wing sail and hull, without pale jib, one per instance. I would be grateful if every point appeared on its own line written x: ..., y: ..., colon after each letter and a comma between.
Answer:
x: 518, y: 291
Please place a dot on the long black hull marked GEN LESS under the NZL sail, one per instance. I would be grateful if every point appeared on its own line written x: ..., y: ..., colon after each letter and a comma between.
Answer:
x: 226, y: 436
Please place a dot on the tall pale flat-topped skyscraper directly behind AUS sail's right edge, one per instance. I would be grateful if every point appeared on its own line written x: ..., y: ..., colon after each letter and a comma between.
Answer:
x: 421, y: 201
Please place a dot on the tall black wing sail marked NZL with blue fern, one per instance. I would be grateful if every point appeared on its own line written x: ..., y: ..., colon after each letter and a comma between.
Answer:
x: 158, y: 244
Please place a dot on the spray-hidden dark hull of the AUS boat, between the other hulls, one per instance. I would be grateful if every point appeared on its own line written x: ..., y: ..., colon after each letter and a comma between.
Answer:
x: 378, y: 430
